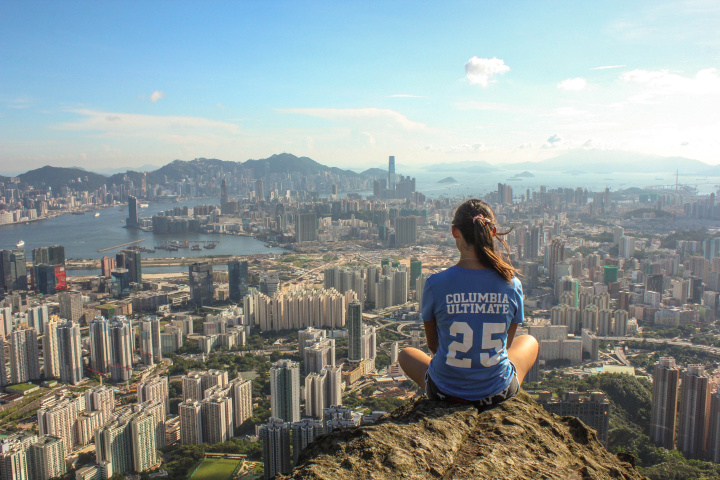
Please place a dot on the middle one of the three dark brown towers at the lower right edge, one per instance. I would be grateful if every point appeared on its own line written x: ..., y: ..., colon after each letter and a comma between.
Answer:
x: 693, y: 412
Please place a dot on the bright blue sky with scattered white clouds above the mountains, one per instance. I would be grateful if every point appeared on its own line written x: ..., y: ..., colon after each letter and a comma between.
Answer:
x: 113, y: 84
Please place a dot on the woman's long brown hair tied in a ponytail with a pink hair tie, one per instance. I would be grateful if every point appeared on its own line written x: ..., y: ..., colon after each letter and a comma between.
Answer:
x: 478, y: 226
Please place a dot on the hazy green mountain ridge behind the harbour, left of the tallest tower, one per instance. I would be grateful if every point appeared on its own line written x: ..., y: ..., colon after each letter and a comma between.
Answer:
x: 79, y: 179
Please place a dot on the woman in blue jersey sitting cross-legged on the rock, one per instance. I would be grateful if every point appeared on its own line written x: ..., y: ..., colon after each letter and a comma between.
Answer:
x: 471, y: 312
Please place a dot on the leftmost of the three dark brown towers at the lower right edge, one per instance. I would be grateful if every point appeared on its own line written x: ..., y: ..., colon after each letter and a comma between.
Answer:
x: 664, y: 403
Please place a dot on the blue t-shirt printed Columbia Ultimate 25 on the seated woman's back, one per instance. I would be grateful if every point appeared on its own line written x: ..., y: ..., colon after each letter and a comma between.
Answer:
x: 473, y: 309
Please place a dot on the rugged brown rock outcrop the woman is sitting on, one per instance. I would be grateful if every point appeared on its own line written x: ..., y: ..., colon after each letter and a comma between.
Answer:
x: 436, y: 440
